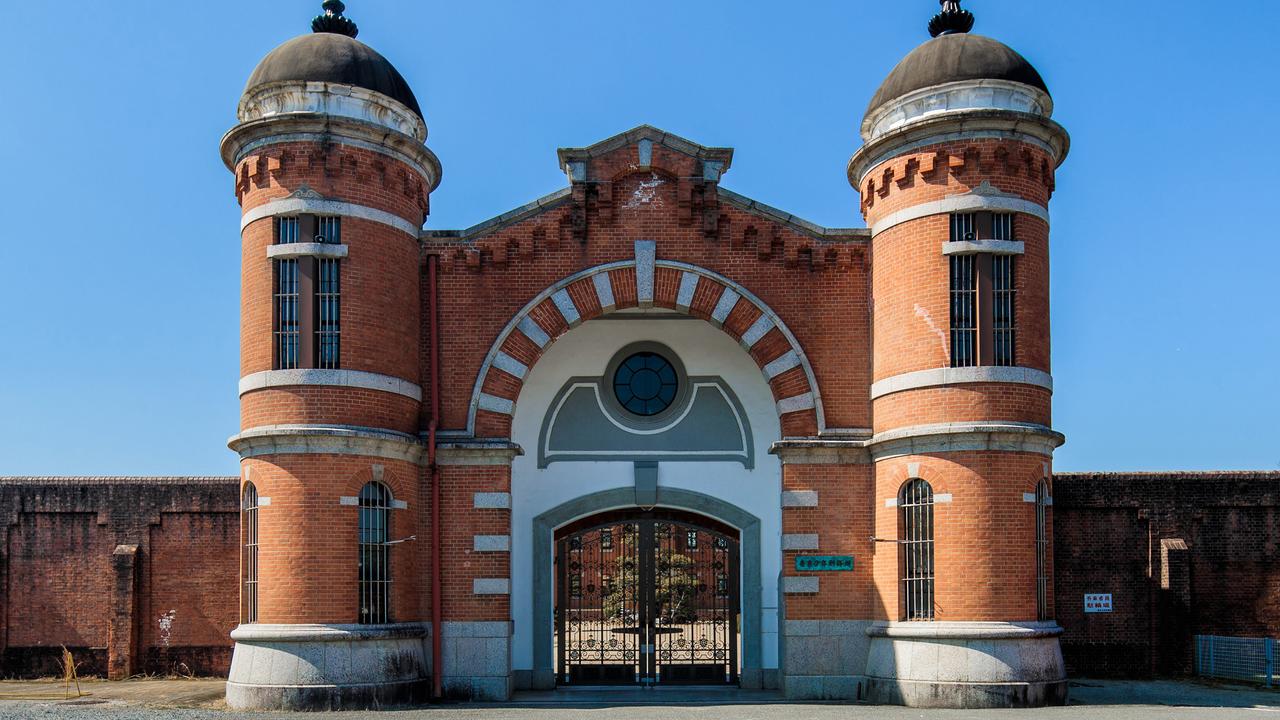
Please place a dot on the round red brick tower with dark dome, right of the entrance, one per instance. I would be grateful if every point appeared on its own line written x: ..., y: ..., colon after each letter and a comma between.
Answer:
x: 956, y: 177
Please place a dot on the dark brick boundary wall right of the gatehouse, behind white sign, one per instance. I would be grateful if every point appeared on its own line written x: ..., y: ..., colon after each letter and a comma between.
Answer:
x: 1183, y: 554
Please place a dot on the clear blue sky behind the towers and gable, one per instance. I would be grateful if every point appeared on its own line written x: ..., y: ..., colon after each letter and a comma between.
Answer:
x: 120, y: 282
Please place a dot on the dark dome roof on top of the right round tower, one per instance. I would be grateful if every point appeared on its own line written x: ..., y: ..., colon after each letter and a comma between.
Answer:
x: 953, y: 58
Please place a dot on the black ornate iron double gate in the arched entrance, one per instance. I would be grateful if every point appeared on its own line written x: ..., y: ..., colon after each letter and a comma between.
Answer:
x: 647, y: 599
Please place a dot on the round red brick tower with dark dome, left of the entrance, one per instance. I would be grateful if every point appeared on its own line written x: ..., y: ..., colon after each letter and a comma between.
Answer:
x: 333, y: 181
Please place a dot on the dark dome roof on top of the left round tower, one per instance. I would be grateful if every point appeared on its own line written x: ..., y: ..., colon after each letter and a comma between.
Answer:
x: 330, y: 57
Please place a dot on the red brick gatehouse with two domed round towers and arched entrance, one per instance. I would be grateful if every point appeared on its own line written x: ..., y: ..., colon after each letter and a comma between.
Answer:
x: 644, y: 430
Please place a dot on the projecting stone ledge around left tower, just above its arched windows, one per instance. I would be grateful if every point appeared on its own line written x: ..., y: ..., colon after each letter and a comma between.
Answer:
x: 327, y: 440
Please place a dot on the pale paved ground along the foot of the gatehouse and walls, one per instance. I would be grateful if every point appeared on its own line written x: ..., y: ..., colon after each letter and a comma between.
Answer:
x: 202, y: 700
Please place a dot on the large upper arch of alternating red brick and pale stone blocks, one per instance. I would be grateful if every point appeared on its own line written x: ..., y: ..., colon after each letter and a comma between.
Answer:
x: 633, y: 284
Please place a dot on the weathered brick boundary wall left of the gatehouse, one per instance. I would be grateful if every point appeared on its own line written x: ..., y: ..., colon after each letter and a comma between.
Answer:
x: 135, y: 576
